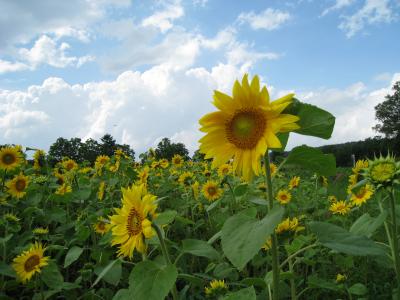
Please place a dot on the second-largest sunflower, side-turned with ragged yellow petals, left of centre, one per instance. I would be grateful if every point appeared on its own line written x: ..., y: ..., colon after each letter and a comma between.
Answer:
x: 131, y: 223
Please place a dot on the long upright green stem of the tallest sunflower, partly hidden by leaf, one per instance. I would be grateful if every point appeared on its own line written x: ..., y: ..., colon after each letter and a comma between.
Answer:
x: 274, y: 244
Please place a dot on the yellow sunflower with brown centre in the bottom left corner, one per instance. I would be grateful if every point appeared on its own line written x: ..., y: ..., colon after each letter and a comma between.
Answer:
x: 30, y: 262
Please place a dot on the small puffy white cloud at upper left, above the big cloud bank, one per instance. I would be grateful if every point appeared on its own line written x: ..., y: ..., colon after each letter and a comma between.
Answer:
x: 46, y: 51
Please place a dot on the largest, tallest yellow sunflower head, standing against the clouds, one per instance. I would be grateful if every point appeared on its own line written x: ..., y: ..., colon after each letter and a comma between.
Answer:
x: 245, y: 126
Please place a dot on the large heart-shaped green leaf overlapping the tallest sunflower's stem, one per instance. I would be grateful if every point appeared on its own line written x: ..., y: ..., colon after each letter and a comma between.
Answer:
x: 243, y: 235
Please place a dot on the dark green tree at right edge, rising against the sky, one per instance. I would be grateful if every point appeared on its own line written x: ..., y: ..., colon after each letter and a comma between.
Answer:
x: 388, y: 114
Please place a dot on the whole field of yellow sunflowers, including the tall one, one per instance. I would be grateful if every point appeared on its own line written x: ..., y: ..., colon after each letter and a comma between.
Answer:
x: 234, y: 224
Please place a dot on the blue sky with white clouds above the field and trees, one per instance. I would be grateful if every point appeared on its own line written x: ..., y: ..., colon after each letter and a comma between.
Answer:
x: 142, y: 70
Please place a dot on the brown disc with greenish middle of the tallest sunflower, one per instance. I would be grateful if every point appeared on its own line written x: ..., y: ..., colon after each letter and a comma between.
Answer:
x: 245, y: 128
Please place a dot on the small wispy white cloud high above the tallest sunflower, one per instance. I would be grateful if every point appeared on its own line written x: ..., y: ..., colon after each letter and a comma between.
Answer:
x: 268, y: 19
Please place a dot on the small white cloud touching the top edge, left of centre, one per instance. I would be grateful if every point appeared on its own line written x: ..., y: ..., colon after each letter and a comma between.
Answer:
x: 163, y: 19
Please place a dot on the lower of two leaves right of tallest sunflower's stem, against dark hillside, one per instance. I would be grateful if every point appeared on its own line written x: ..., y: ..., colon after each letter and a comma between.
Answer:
x: 312, y: 159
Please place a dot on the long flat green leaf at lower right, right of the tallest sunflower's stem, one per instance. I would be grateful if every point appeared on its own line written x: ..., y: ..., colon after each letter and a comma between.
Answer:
x: 338, y: 239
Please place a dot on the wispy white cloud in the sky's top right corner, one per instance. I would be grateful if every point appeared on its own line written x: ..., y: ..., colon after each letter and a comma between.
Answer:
x: 372, y: 12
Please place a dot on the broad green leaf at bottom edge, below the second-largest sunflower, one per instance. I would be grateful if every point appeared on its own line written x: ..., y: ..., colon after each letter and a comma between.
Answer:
x: 149, y: 281
